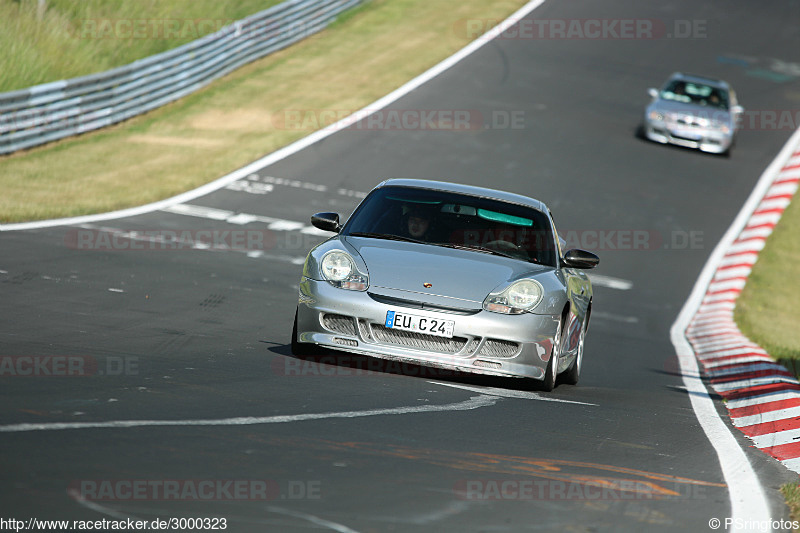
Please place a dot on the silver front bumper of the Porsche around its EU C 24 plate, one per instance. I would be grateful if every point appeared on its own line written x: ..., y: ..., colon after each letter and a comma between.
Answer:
x: 483, y: 342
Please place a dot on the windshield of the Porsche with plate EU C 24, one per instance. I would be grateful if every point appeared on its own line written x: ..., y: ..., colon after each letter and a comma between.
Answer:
x: 455, y: 220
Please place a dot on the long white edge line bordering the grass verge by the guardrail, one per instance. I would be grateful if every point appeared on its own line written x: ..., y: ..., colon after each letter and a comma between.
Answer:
x: 296, y: 146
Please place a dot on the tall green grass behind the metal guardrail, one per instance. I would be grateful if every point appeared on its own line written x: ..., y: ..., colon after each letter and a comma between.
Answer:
x: 78, y: 37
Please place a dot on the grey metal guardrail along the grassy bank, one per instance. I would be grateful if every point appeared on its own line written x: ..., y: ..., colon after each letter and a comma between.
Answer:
x: 45, y: 113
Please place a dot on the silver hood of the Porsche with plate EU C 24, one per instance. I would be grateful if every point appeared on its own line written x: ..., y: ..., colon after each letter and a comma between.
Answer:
x: 460, y: 278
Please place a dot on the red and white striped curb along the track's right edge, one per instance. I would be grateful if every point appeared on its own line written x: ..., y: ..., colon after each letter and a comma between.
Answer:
x: 763, y: 398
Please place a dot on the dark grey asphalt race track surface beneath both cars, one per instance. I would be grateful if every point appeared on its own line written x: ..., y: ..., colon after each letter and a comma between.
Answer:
x: 204, y: 333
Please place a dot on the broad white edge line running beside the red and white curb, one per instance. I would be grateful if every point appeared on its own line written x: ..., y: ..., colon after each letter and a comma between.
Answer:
x: 748, y: 501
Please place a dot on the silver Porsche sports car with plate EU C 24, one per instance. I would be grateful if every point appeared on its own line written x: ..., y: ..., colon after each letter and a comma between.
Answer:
x: 448, y: 276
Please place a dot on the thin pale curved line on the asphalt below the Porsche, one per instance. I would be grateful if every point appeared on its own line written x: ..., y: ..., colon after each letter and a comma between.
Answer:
x: 475, y: 402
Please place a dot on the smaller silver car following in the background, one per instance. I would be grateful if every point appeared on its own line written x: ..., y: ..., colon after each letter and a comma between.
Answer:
x: 694, y: 112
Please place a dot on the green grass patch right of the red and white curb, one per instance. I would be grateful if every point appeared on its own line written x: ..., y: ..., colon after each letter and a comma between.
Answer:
x: 768, y: 310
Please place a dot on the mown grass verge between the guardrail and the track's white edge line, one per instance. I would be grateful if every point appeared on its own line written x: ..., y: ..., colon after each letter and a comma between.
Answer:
x: 241, y: 117
